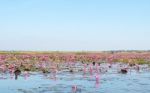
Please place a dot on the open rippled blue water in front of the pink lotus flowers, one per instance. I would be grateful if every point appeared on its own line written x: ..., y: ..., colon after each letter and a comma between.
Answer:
x: 66, y: 82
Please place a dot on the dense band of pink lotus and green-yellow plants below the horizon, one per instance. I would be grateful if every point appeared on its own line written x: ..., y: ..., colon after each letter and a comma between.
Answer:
x: 43, y: 61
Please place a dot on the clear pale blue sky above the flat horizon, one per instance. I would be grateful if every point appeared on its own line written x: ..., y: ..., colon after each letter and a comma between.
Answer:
x: 74, y: 25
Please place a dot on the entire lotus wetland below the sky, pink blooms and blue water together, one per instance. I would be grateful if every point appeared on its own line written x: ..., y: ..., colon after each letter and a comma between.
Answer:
x: 75, y: 72
